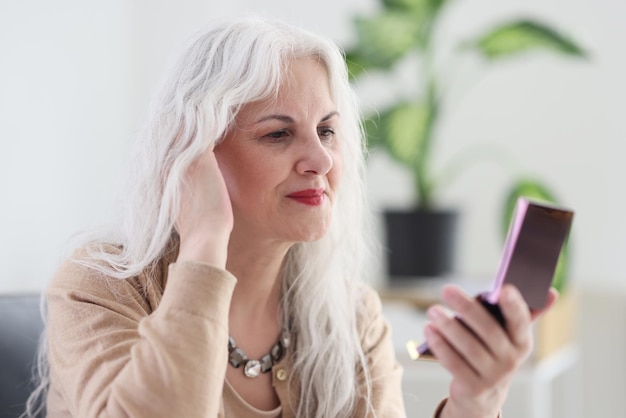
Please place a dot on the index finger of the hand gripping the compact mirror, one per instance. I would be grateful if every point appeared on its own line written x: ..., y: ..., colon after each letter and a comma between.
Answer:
x: 517, y: 315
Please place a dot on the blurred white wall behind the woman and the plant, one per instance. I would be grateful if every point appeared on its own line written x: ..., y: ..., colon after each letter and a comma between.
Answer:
x: 75, y: 84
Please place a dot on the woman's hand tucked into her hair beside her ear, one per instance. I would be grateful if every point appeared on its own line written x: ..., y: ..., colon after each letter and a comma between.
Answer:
x: 205, y: 218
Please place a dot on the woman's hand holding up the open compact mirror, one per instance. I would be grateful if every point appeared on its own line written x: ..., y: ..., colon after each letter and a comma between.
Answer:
x: 482, y: 361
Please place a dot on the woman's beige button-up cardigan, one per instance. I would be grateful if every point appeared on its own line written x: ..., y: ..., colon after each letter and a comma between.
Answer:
x: 119, y: 348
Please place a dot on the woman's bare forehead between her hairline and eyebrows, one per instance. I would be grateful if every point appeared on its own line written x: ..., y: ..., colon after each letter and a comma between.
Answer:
x: 304, y: 90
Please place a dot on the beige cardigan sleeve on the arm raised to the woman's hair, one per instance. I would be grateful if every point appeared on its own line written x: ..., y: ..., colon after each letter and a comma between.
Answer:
x: 111, y: 357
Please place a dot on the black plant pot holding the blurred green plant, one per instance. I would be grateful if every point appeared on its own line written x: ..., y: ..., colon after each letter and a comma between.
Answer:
x: 420, y: 243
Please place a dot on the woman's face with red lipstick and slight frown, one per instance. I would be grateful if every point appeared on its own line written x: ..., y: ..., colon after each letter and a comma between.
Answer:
x: 282, y: 161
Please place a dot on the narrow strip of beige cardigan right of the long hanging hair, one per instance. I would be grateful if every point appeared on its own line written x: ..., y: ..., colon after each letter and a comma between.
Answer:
x: 385, y: 372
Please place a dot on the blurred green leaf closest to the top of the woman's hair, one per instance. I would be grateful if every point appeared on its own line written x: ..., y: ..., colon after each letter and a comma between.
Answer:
x: 385, y: 38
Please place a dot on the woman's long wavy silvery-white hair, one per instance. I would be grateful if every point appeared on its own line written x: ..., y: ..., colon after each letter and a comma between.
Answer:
x: 230, y: 64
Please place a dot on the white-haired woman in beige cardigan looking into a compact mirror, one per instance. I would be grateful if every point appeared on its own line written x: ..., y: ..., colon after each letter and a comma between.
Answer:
x: 230, y: 288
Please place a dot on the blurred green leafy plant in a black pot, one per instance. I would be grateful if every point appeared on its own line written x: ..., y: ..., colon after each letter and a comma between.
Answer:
x: 407, y: 128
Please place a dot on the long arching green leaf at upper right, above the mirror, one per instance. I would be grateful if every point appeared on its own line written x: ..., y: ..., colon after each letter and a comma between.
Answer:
x: 523, y: 36
